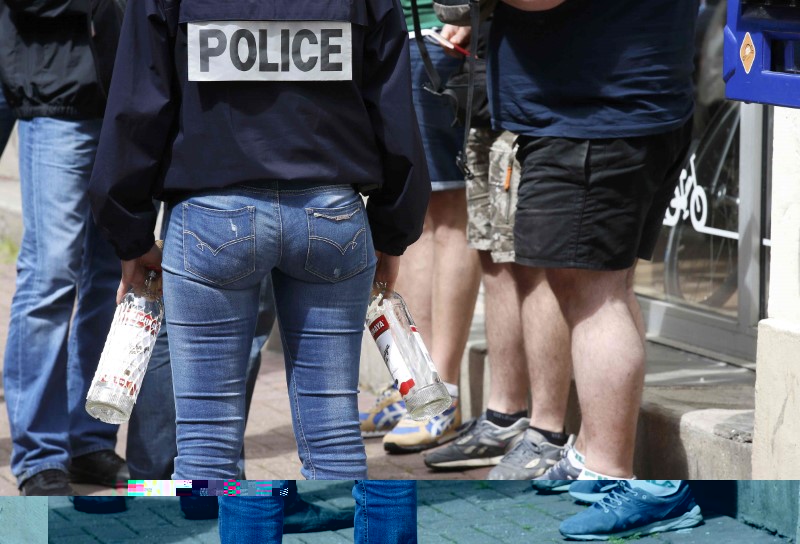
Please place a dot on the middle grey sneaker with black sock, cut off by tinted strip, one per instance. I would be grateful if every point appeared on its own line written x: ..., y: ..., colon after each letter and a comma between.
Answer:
x: 529, y: 458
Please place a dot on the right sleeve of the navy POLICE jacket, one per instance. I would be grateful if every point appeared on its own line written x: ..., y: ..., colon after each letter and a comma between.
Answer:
x: 396, y: 211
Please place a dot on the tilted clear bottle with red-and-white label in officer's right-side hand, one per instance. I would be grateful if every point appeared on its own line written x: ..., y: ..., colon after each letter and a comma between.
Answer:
x: 404, y: 353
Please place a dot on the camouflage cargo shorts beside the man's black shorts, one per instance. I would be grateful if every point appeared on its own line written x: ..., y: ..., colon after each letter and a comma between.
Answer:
x: 492, y: 192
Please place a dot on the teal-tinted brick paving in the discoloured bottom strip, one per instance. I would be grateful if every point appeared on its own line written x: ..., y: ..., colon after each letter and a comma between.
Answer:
x: 458, y: 512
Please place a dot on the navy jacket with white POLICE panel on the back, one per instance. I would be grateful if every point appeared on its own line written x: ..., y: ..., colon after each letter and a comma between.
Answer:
x: 209, y: 94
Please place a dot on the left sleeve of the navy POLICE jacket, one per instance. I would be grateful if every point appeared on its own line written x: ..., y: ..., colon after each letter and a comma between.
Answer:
x: 139, y: 124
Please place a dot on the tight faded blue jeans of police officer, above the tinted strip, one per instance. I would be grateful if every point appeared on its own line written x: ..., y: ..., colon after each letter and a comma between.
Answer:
x: 316, y: 244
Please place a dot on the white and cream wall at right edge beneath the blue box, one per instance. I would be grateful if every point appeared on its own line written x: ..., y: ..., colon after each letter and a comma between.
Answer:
x: 776, y: 441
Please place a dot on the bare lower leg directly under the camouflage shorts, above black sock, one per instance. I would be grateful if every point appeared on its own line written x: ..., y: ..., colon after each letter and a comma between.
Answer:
x: 508, y: 389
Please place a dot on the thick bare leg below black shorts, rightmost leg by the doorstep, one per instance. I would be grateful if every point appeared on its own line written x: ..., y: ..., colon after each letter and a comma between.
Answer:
x: 608, y: 355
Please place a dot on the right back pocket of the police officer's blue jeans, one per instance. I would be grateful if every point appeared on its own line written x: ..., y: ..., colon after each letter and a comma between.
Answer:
x: 337, y: 241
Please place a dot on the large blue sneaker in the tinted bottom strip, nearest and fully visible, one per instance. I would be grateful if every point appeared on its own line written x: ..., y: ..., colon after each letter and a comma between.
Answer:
x: 627, y: 511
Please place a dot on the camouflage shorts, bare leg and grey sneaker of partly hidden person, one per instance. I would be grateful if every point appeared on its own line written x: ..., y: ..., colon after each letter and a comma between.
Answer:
x: 491, y: 206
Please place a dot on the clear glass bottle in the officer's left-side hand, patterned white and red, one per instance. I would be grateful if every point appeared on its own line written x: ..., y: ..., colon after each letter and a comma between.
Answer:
x: 126, y: 353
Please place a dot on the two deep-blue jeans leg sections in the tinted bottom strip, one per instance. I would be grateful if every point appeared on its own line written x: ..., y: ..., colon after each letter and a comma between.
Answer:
x: 386, y: 513
